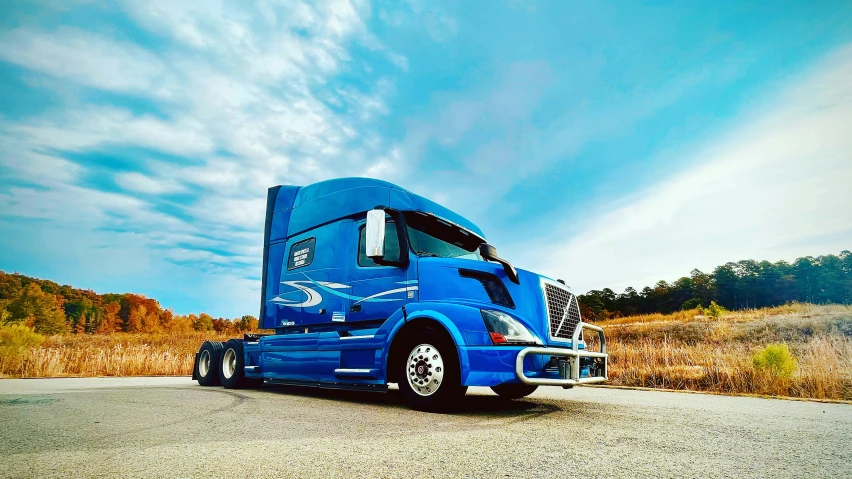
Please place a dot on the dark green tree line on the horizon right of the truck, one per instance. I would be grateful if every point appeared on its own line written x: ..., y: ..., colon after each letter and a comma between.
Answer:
x: 741, y: 285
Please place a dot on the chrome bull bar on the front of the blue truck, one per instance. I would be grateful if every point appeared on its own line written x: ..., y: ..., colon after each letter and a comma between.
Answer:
x: 570, y: 372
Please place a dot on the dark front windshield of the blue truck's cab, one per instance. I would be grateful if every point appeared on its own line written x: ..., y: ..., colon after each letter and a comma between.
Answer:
x: 432, y: 236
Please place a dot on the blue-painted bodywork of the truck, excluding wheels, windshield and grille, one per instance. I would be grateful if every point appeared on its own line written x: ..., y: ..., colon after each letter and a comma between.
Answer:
x: 337, y: 314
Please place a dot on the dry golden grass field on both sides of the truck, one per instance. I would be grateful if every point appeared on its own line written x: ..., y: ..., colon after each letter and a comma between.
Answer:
x: 685, y: 350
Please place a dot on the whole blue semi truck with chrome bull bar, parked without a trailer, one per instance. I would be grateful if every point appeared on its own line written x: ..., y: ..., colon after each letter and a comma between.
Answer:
x: 366, y: 284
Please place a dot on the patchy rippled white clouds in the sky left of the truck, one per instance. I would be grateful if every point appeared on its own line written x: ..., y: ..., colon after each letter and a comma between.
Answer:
x: 235, y: 98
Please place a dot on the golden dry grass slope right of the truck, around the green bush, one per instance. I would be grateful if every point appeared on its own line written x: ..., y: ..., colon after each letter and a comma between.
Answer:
x: 689, y: 351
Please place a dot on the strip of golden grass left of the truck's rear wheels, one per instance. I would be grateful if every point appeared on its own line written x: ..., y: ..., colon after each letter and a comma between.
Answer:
x: 120, y: 354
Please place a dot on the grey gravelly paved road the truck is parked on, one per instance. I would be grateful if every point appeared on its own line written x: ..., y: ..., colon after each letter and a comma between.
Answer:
x: 171, y: 427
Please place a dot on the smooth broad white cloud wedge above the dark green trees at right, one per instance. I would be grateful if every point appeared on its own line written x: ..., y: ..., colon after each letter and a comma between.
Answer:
x: 776, y: 187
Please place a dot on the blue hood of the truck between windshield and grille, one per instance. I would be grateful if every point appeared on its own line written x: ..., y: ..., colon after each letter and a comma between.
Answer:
x: 449, y: 280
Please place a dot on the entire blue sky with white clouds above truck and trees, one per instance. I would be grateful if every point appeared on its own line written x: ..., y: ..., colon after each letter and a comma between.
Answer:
x: 610, y: 144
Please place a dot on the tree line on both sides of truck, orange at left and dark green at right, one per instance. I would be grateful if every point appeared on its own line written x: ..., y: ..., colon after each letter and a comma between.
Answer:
x: 50, y: 308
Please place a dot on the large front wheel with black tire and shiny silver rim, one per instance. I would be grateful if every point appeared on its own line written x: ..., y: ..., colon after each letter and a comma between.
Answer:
x: 428, y: 372
